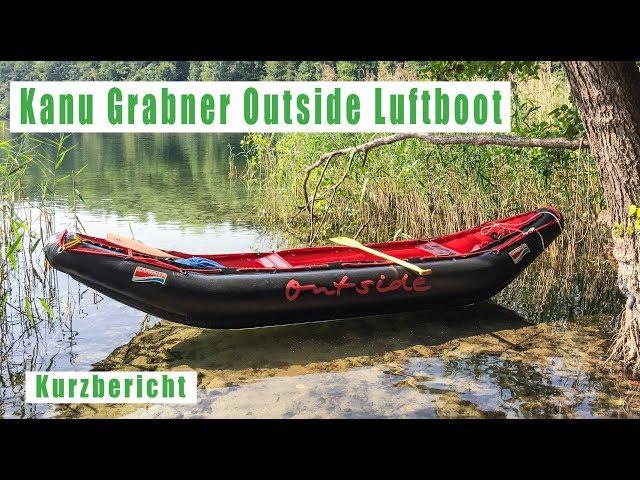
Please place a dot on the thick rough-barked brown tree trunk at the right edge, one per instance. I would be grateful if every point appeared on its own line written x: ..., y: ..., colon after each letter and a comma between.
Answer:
x: 607, y: 95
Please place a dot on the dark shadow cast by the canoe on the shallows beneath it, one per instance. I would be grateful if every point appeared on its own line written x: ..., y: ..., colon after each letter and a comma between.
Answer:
x: 331, y: 342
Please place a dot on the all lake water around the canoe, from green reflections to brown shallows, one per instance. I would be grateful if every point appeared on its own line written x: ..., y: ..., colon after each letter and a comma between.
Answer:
x: 525, y: 356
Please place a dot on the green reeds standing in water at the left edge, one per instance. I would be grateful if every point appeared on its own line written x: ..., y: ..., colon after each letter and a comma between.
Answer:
x: 27, y: 287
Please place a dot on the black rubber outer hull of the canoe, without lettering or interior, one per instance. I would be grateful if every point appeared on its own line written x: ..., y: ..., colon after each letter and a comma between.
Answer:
x: 255, y: 299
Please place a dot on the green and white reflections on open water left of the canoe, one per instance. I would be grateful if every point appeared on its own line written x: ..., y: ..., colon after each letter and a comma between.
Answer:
x: 177, y: 191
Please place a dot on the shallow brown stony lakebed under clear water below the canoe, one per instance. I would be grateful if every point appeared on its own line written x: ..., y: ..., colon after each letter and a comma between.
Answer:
x: 482, y: 361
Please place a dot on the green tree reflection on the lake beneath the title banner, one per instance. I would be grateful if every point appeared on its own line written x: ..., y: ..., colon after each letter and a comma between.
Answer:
x: 184, y: 179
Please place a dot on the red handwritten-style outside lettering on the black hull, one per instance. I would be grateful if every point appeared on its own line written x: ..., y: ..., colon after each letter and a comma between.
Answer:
x: 294, y: 289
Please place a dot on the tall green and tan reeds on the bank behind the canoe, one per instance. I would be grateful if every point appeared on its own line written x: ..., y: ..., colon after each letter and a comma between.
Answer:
x: 412, y: 189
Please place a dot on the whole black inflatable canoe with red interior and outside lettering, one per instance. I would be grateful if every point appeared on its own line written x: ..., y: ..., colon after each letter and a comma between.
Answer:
x: 309, y: 284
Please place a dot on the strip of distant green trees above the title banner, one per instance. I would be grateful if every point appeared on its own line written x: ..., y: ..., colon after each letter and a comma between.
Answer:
x: 253, y: 70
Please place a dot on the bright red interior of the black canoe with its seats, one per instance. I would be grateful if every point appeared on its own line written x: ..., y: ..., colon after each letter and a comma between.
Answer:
x: 461, y: 243
